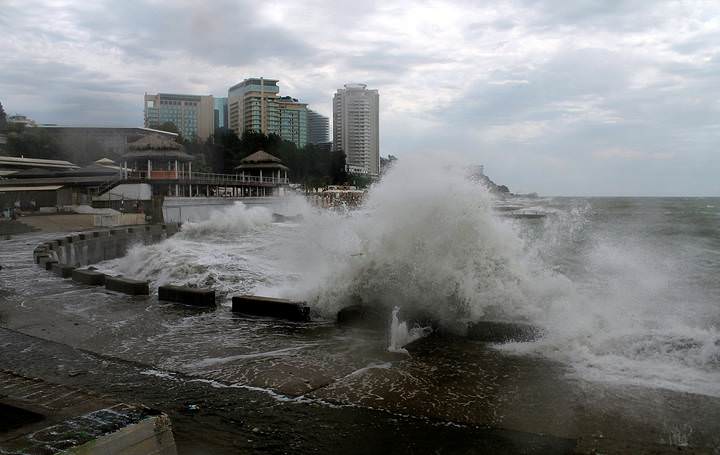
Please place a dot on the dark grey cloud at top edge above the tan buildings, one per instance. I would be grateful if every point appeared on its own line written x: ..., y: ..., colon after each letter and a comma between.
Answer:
x: 223, y: 33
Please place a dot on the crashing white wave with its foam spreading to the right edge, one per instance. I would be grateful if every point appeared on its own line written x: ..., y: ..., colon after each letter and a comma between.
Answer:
x: 611, y: 304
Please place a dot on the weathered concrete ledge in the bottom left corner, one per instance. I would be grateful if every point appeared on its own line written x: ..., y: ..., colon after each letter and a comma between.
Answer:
x: 41, y: 417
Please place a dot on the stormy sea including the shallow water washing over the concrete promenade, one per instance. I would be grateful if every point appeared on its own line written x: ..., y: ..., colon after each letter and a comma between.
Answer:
x: 623, y: 292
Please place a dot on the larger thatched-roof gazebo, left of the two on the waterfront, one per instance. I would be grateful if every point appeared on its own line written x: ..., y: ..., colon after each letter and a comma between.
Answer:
x: 159, y: 157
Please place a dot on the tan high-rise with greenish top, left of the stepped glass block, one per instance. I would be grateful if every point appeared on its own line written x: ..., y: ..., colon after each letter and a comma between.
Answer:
x: 253, y: 106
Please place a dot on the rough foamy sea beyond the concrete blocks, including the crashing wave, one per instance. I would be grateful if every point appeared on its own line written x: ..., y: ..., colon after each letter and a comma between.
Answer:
x: 625, y: 290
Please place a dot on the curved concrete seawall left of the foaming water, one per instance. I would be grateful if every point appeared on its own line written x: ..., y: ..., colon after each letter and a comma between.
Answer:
x: 96, y: 246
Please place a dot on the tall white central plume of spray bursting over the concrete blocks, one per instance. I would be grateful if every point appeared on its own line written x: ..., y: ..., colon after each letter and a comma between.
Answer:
x: 427, y: 238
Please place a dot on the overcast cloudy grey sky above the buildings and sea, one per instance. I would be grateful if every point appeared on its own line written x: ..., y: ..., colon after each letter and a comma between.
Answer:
x: 581, y: 97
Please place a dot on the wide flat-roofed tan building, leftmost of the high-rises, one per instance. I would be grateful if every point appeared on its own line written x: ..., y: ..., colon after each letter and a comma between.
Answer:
x: 193, y: 115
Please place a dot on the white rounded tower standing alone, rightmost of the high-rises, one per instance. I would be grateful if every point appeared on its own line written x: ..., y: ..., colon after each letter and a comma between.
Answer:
x: 356, y: 128
